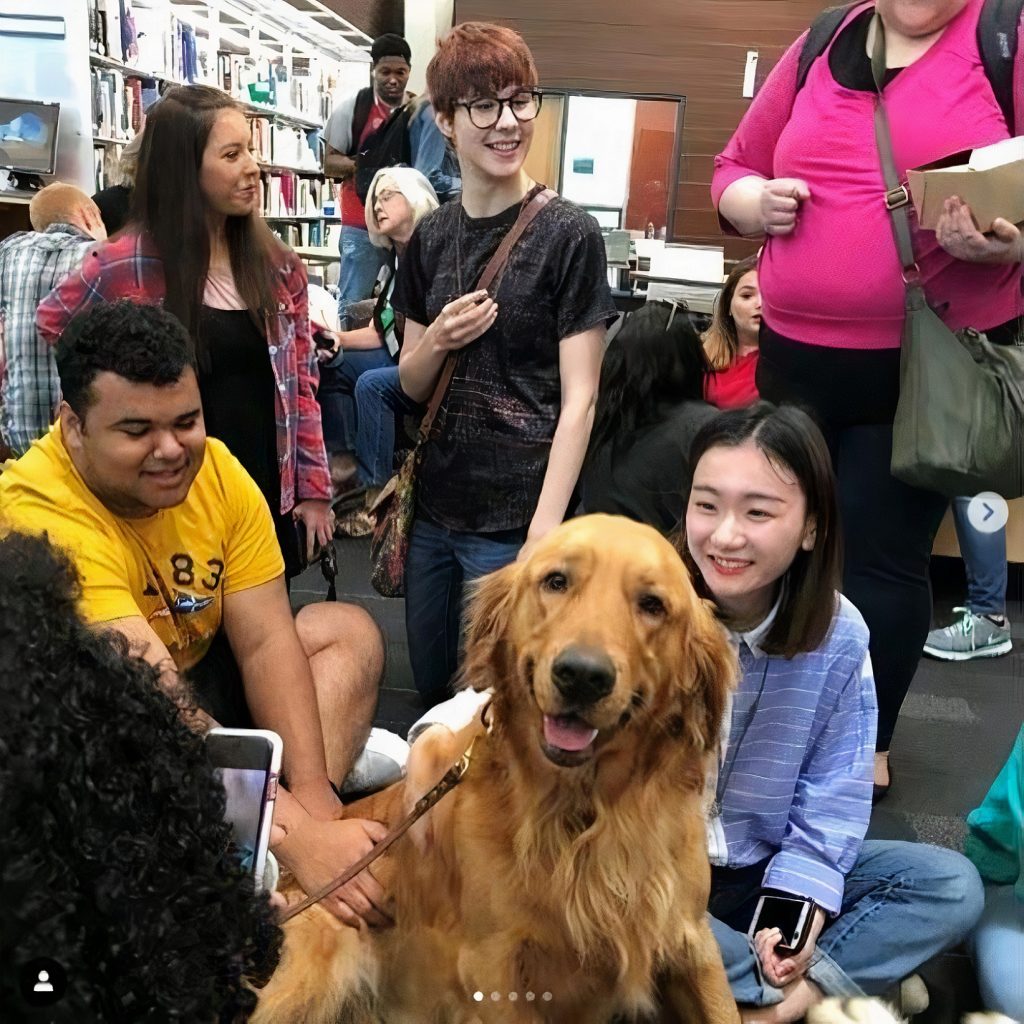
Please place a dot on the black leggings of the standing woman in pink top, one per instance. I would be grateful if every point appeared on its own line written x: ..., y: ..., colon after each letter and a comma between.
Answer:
x: 888, y: 527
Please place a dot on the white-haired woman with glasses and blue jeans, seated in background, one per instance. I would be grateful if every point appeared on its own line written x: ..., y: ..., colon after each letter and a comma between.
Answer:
x: 364, y: 417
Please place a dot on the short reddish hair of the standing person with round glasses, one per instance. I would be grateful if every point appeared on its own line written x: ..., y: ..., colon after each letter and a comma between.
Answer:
x: 477, y: 59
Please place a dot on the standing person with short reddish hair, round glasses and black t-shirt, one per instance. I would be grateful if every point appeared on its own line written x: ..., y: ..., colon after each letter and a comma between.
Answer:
x: 514, y: 430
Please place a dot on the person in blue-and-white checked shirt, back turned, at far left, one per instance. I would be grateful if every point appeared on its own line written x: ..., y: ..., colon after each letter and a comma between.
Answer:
x: 65, y: 224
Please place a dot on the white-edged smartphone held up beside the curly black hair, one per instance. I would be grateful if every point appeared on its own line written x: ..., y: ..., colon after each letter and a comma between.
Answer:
x: 248, y: 763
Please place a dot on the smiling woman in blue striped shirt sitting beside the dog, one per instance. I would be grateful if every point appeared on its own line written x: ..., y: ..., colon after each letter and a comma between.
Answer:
x: 793, y: 794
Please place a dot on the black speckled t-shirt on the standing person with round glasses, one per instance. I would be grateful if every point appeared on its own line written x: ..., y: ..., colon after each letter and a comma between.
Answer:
x: 485, y: 471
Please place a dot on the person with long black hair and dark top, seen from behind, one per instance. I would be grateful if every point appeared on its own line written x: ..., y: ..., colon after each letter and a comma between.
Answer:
x: 650, y: 409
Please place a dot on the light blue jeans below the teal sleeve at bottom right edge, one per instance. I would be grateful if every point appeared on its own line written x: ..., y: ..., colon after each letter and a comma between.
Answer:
x: 999, y: 952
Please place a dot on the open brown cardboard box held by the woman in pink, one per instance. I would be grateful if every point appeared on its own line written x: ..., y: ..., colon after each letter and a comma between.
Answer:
x: 991, y: 181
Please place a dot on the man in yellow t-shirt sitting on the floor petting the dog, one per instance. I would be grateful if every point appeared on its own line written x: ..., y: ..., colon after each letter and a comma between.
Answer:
x: 177, y: 550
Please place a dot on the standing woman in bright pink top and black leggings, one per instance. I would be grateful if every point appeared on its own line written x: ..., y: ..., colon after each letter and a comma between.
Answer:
x: 803, y: 169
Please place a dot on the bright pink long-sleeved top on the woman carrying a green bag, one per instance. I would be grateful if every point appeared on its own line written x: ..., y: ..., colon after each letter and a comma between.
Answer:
x: 836, y: 281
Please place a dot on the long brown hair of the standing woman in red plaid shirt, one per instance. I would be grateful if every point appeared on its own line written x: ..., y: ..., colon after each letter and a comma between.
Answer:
x: 168, y: 206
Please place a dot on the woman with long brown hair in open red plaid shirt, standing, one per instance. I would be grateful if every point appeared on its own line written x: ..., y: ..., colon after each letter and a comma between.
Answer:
x: 196, y: 243
